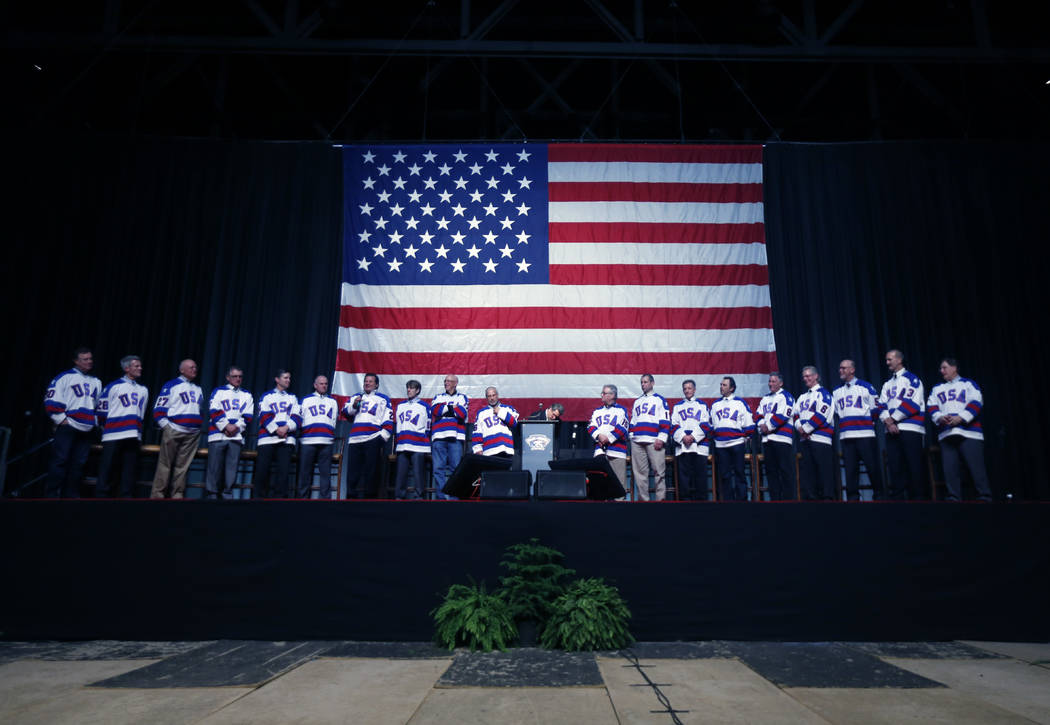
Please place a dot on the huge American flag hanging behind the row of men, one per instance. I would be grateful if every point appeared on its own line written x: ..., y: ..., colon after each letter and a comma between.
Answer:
x: 551, y: 271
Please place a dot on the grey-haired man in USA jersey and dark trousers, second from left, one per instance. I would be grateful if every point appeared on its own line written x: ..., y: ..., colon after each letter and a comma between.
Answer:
x: 122, y: 407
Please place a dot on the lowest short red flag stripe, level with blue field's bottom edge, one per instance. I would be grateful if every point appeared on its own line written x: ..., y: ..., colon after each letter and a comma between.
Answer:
x: 692, y: 276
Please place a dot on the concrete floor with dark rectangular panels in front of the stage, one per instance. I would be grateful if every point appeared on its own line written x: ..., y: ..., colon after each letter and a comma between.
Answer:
x: 723, y: 682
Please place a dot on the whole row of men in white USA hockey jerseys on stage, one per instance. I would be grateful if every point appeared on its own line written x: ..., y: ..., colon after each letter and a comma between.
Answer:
x: 77, y: 405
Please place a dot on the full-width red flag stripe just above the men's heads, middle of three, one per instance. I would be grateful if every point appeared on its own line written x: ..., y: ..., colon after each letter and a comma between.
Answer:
x: 552, y: 363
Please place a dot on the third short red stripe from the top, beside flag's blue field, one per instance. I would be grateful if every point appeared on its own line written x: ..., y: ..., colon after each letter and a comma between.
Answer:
x: 659, y: 234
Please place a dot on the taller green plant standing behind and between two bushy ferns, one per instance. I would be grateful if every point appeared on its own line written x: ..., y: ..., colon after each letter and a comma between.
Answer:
x: 537, y: 578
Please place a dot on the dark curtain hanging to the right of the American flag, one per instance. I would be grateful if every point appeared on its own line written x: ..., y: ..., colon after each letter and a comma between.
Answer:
x: 932, y: 248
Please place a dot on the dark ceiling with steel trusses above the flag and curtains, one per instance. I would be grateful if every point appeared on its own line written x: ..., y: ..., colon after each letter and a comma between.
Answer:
x: 577, y: 70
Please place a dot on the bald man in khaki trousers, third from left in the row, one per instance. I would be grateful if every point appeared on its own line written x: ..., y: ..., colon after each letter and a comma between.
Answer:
x: 178, y: 413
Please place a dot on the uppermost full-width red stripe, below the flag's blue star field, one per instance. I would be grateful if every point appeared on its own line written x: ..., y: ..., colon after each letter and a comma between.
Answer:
x: 554, y: 318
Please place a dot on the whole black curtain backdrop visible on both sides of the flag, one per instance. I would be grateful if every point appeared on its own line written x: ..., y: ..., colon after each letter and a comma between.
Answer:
x: 232, y: 253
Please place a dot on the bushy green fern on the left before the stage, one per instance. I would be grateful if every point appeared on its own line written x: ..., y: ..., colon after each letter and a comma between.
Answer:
x: 471, y: 617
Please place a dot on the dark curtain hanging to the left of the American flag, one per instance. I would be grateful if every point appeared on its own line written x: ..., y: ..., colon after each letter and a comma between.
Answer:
x: 225, y: 253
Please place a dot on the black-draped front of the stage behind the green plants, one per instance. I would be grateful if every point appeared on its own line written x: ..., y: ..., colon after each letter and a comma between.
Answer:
x: 373, y: 570
